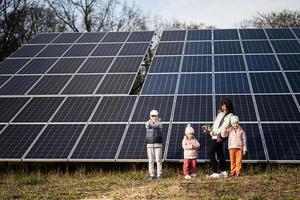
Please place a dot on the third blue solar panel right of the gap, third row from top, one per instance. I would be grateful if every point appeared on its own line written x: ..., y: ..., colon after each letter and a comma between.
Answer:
x: 229, y: 63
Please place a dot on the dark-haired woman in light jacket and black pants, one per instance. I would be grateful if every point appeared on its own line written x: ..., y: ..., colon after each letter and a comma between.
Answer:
x: 222, y: 121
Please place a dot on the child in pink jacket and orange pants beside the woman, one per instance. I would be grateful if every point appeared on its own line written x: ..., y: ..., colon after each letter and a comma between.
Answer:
x: 237, y: 145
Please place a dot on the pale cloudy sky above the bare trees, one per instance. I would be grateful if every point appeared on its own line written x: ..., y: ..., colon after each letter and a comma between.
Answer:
x: 220, y: 13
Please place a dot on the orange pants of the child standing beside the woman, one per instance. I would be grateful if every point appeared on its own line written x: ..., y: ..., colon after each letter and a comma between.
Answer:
x: 236, y: 157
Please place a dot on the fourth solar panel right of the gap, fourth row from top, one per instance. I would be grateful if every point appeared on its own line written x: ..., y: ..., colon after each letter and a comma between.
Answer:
x: 268, y: 83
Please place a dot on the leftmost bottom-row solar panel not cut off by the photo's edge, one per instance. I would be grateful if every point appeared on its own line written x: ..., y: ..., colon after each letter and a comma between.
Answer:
x: 56, y: 141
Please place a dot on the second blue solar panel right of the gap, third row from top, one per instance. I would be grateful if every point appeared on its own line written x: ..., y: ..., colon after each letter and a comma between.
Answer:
x: 197, y: 64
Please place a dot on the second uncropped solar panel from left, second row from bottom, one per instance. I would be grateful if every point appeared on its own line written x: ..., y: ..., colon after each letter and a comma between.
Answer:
x: 76, y: 109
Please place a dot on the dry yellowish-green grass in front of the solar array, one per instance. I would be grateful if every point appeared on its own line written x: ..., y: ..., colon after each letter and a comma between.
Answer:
x: 280, y: 182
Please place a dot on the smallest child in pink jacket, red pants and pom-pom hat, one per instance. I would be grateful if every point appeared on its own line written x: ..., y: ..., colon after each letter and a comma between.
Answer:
x: 190, y: 146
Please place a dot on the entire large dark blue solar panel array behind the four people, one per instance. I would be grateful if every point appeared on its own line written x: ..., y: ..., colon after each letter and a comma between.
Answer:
x: 65, y: 96
